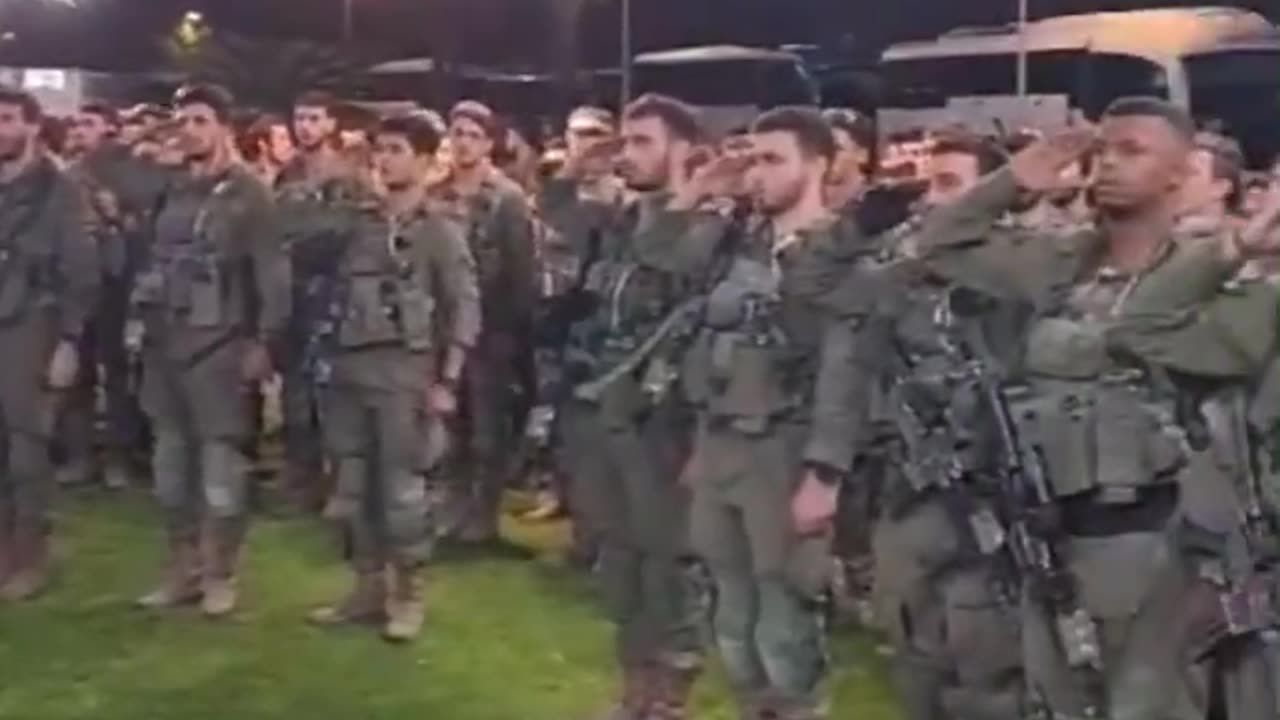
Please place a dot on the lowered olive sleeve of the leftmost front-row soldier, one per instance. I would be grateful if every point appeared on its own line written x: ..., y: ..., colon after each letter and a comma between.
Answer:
x: 77, y: 257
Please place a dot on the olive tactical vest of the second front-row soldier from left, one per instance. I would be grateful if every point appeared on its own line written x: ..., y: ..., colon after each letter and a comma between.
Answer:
x: 189, y: 277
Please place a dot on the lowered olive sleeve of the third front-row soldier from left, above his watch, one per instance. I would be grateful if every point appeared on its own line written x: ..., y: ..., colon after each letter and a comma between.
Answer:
x: 454, y: 271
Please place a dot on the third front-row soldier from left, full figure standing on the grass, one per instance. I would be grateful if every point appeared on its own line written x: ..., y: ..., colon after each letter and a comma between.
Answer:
x: 408, y: 313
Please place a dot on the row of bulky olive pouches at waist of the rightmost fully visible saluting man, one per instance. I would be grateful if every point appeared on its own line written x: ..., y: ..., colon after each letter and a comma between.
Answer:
x: 1107, y: 436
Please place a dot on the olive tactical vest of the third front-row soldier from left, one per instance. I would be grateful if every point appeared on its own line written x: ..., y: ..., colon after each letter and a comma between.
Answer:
x: 383, y: 299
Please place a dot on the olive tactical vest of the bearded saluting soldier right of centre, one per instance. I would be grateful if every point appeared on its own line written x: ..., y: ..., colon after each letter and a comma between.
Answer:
x: 737, y: 370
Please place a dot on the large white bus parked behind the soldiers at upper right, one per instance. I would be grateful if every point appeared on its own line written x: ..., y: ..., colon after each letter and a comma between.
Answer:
x: 1220, y: 63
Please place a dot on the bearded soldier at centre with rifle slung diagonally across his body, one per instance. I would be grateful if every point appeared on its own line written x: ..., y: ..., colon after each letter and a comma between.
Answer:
x: 625, y: 445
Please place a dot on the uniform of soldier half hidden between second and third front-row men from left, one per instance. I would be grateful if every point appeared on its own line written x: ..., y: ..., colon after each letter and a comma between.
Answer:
x: 310, y: 212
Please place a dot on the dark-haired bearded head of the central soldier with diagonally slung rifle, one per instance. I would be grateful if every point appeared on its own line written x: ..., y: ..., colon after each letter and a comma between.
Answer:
x: 659, y: 139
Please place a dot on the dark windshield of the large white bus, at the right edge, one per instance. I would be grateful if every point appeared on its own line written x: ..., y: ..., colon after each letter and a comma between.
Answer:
x: 1240, y: 90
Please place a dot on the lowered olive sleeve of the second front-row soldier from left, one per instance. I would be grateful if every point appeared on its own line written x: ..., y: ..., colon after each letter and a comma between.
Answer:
x: 272, y: 270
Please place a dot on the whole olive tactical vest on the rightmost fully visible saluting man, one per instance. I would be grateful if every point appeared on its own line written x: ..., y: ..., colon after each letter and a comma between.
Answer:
x: 1101, y: 427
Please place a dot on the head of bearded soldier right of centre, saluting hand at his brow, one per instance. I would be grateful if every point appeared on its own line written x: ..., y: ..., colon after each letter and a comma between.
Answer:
x: 792, y: 154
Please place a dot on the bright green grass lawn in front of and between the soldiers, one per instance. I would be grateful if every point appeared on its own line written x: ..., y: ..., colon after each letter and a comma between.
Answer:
x: 508, y: 640
